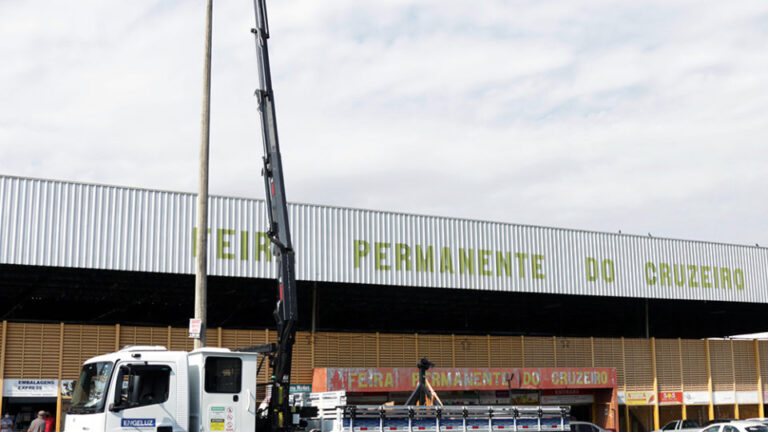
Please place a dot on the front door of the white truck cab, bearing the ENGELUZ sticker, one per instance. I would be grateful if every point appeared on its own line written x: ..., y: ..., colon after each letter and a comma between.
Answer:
x: 142, y: 400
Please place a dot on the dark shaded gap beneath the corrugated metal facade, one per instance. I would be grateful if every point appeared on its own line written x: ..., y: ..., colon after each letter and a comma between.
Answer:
x: 51, y: 294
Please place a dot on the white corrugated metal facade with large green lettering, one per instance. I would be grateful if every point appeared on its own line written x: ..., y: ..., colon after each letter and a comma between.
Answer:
x: 52, y: 223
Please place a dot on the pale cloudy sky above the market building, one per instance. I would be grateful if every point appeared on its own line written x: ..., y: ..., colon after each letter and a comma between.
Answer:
x: 600, y: 115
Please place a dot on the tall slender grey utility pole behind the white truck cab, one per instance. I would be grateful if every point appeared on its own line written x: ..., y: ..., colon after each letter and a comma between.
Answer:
x: 201, y: 269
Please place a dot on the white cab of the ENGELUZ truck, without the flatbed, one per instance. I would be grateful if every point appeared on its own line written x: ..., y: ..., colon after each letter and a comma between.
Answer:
x: 151, y: 389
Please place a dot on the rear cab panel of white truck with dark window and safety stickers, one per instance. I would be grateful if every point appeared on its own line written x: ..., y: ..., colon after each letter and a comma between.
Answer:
x: 227, y: 405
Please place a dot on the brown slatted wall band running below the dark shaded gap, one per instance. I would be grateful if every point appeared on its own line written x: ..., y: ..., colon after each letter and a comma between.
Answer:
x: 32, y: 352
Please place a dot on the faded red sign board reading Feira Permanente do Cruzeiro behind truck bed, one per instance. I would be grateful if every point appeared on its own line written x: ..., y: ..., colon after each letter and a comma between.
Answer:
x: 405, y: 379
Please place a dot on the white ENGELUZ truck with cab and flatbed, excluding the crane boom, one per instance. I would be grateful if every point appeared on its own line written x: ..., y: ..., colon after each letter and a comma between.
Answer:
x: 150, y: 389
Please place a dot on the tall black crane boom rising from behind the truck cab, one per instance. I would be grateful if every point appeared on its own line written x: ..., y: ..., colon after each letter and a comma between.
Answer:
x: 280, y: 413
